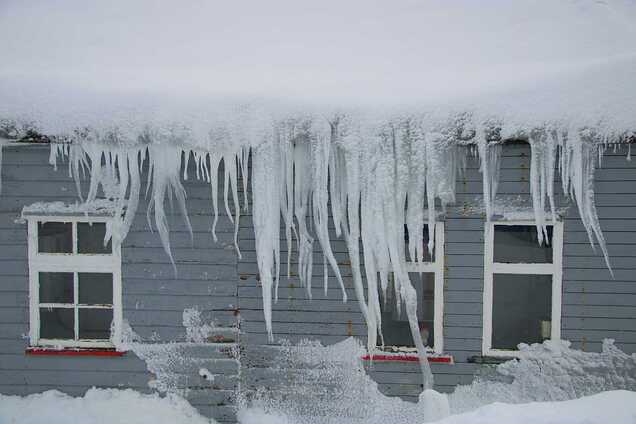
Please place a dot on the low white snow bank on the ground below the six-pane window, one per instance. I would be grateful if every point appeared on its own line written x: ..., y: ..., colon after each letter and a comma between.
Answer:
x: 98, y: 406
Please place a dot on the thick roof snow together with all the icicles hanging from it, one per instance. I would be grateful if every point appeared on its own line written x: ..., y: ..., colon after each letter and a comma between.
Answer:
x: 362, y: 117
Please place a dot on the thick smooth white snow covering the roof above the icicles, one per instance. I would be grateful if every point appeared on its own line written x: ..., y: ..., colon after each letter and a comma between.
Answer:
x: 74, y: 64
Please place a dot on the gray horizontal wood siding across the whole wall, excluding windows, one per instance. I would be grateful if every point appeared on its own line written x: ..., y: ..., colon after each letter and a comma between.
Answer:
x: 210, y: 276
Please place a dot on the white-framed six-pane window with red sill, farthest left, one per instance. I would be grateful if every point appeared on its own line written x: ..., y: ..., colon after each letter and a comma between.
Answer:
x: 74, y: 282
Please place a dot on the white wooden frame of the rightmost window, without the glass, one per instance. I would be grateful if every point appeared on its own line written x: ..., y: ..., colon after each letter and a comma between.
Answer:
x: 490, y: 268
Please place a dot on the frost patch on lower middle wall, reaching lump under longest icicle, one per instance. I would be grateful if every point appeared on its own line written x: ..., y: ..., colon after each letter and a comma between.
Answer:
x: 317, y: 384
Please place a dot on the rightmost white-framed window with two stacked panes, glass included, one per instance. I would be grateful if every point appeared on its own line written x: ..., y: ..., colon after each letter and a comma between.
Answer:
x: 522, y: 286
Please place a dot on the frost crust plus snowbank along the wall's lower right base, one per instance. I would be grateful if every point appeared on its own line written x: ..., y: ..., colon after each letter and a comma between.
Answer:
x: 319, y: 384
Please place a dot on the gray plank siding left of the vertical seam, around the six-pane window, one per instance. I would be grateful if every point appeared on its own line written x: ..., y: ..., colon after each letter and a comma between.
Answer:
x: 153, y: 298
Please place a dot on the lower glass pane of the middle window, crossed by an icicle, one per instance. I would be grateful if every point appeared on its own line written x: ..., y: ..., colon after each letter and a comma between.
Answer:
x: 395, y: 326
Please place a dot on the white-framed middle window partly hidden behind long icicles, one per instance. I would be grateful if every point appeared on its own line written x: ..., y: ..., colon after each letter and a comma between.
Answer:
x: 427, y: 278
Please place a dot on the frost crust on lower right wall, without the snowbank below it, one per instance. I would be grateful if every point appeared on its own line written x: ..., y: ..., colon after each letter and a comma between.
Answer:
x: 330, y: 384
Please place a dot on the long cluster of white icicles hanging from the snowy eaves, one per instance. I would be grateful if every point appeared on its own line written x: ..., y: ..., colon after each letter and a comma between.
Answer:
x: 369, y: 186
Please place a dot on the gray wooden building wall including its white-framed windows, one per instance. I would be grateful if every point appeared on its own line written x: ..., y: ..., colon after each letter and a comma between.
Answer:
x: 470, y: 318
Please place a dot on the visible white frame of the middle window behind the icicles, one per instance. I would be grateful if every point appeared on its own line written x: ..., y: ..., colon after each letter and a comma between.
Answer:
x: 436, y: 268
